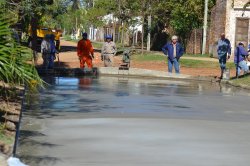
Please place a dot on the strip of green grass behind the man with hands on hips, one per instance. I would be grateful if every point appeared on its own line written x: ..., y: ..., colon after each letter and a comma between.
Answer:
x: 184, y: 62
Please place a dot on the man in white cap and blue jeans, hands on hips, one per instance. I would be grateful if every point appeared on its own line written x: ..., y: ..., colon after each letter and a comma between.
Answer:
x: 174, y: 51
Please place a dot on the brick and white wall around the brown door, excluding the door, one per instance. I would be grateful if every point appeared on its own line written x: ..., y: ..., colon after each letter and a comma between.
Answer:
x: 223, y: 20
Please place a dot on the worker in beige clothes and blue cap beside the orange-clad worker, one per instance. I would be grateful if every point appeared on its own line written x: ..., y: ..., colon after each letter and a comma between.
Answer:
x: 108, y: 51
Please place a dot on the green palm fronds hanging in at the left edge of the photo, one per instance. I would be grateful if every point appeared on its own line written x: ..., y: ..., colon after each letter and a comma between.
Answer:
x: 14, y: 66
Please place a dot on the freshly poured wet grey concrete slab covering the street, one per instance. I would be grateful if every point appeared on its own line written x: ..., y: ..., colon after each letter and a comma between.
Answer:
x: 135, y: 122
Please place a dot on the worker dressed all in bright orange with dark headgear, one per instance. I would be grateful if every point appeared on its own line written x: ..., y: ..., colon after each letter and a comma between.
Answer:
x: 85, y: 51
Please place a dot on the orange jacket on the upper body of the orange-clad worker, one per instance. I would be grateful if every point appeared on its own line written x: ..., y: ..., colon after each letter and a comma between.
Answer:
x: 85, y: 48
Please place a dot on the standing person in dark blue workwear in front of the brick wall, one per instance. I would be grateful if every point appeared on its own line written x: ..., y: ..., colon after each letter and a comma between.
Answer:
x: 224, y: 52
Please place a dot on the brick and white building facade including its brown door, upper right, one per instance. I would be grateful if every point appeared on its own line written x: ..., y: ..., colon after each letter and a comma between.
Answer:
x: 229, y: 17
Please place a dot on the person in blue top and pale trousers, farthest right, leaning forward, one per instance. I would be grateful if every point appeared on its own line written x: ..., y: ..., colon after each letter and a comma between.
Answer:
x: 240, y: 59
